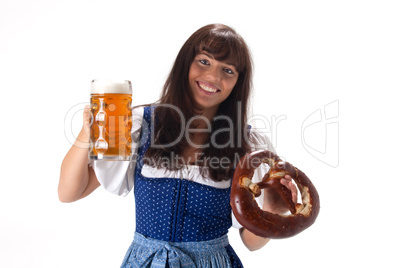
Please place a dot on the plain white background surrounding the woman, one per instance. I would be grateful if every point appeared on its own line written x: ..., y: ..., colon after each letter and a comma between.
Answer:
x: 345, y: 55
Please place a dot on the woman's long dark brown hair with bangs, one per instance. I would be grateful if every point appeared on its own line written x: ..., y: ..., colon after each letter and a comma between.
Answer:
x: 224, y: 44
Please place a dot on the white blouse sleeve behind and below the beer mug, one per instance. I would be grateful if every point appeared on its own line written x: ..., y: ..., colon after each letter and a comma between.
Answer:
x: 117, y: 177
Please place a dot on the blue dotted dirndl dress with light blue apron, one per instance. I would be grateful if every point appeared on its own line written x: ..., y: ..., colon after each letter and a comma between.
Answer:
x: 179, y: 222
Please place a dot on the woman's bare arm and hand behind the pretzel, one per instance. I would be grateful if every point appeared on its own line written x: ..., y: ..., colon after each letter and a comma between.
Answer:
x: 274, y: 204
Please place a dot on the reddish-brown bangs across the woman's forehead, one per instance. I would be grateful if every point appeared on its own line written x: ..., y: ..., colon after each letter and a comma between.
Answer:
x: 225, y: 46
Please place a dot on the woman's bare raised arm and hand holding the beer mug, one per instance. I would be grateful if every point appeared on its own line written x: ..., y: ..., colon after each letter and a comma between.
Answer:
x: 77, y: 179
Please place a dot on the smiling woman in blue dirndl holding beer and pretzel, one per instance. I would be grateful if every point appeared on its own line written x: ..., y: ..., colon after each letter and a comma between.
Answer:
x: 188, y: 145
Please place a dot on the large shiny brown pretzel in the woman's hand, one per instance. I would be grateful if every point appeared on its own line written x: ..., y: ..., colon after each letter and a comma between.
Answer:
x: 264, y: 223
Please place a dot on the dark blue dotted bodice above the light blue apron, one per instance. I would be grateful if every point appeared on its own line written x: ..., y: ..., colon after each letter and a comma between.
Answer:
x: 177, y: 210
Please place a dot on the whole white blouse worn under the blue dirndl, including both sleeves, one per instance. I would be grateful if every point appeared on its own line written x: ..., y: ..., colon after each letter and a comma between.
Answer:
x: 117, y: 177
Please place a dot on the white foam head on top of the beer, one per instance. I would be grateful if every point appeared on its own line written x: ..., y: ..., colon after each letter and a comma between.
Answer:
x: 102, y: 86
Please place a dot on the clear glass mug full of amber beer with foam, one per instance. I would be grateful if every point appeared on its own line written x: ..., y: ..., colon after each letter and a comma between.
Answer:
x: 110, y: 129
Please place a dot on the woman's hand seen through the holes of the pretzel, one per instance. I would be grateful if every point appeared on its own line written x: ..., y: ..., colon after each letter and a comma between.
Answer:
x: 273, y: 202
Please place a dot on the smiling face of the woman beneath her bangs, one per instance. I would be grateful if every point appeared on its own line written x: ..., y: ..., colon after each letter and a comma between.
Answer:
x: 211, y: 82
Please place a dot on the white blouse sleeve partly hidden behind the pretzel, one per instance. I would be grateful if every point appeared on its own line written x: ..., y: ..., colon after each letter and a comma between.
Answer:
x: 258, y: 141
